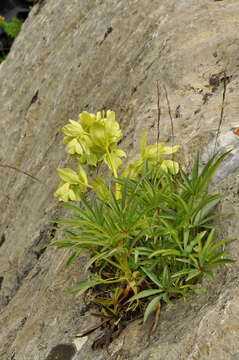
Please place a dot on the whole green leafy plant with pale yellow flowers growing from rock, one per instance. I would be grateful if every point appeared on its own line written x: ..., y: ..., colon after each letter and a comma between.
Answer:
x: 149, y: 230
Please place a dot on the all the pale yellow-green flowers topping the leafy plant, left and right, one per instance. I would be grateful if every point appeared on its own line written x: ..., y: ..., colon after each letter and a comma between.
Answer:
x: 93, y: 139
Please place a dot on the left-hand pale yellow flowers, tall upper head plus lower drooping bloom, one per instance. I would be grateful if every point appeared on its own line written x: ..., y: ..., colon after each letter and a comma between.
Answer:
x: 91, y: 140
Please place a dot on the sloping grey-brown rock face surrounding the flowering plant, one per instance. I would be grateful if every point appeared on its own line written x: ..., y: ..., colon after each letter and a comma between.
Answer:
x: 89, y: 55
